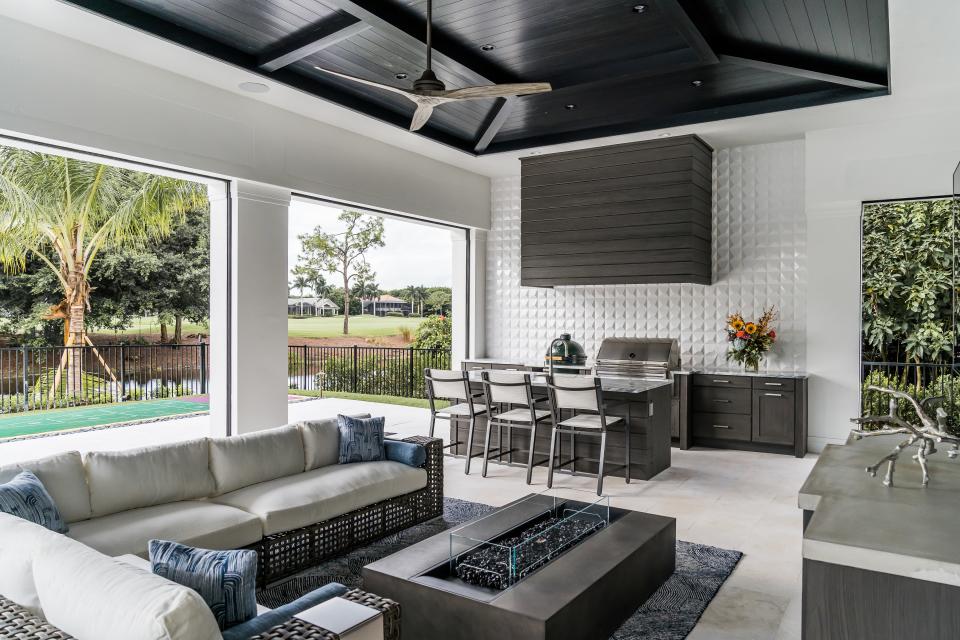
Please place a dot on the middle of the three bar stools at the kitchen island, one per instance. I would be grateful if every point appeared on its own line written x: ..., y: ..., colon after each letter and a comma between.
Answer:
x: 511, y: 389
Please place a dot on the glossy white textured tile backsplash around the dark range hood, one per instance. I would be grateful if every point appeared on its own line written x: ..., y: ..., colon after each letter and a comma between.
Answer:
x: 759, y: 259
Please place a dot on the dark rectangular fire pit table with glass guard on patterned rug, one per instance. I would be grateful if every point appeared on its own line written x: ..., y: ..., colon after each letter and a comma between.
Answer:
x: 544, y: 566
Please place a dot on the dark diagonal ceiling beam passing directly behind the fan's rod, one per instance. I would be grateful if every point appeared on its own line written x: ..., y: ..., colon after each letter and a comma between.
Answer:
x: 408, y: 27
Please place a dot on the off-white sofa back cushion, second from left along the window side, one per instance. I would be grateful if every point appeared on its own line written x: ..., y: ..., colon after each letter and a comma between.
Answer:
x: 122, y: 480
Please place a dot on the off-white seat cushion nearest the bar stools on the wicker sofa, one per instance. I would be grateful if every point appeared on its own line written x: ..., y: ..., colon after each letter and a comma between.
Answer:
x: 307, y: 498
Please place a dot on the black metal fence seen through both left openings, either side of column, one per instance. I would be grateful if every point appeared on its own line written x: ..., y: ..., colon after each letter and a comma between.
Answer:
x: 36, y: 378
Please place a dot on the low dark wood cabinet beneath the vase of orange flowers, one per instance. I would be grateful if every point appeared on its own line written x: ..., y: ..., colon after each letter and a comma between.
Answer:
x: 757, y: 413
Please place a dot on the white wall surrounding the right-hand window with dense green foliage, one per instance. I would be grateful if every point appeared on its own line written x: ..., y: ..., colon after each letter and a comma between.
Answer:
x: 902, y: 158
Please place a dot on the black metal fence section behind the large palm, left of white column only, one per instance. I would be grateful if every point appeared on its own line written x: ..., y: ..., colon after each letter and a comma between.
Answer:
x: 34, y: 378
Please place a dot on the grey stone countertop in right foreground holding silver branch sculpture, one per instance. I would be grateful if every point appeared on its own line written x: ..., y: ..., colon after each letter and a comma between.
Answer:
x: 902, y: 530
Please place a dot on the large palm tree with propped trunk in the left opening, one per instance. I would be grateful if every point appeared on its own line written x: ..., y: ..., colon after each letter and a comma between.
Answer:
x: 65, y: 211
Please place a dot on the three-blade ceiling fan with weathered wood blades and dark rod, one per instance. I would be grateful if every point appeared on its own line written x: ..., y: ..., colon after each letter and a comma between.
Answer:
x: 429, y: 92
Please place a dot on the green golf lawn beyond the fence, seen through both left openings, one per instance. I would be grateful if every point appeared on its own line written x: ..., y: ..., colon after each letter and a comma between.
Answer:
x: 320, y: 327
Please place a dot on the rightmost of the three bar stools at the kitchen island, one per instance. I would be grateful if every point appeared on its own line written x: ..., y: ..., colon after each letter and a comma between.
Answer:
x: 581, y: 393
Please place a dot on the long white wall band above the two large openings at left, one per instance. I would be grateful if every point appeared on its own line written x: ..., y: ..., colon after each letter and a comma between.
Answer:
x: 59, y: 89
